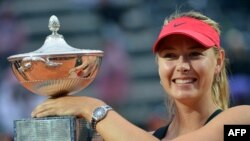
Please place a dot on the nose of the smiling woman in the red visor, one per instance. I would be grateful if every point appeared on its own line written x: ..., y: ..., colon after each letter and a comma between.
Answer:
x: 183, y: 65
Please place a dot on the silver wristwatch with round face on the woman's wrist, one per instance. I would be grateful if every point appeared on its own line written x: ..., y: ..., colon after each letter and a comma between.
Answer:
x: 99, y: 114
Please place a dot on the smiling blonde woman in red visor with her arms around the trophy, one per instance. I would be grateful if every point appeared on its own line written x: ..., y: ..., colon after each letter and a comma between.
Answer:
x: 192, y: 72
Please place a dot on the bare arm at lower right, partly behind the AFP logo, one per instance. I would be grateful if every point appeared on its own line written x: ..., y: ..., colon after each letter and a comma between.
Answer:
x: 214, y: 130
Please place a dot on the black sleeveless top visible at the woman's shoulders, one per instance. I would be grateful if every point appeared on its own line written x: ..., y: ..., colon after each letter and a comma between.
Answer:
x: 161, y: 132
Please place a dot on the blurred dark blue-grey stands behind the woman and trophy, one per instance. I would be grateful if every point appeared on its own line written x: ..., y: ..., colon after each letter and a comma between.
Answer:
x: 125, y: 30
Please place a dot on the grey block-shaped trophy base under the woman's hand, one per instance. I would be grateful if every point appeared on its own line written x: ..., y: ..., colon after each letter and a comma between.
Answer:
x: 63, y: 128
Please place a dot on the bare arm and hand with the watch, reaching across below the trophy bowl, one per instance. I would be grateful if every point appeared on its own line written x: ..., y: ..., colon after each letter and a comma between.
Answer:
x: 112, y: 128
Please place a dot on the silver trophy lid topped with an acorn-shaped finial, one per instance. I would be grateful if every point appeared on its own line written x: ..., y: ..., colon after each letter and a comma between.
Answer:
x: 56, y: 45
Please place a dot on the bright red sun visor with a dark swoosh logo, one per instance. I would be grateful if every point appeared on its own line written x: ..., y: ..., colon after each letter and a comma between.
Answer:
x: 193, y: 28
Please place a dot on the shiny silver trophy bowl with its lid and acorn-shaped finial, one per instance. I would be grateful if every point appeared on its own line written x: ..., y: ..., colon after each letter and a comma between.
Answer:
x: 56, y: 69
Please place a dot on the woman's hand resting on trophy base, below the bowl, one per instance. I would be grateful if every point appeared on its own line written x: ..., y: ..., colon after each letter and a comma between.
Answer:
x: 80, y: 106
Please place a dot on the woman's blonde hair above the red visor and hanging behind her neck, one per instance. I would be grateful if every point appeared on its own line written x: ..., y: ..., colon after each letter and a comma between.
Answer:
x: 220, y: 88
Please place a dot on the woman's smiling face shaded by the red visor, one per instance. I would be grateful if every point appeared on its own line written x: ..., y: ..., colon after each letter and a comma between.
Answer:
x: 186, y: 68
